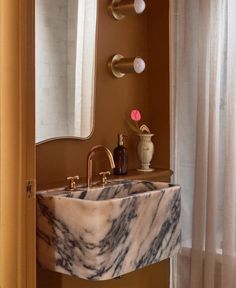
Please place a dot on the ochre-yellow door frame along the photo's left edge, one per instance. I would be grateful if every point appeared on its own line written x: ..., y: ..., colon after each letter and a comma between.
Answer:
x: 17, y: 145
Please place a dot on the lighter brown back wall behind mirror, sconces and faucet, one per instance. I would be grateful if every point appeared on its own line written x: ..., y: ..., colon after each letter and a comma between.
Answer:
x: 114, y: 99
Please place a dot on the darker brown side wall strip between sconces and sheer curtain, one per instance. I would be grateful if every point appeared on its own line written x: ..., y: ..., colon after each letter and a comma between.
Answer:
x: 158, y: 79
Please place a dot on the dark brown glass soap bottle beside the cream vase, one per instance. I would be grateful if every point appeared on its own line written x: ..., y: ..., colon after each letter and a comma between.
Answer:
x: 120, y: 155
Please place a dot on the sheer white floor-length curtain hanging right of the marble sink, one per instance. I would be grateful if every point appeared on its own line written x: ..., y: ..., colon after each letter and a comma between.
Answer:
x: 203, y: 110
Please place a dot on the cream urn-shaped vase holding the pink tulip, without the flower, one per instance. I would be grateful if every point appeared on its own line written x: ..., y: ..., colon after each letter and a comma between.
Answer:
x: 145, y: 151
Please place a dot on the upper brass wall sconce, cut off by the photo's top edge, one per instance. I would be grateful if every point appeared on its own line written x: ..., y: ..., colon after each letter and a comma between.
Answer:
x: 121, y: 8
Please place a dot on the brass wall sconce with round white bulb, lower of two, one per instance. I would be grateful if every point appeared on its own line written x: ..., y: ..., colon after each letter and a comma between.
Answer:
x: 119, y: 65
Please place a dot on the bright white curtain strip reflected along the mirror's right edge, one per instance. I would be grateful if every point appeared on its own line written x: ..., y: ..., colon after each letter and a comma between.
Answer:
x: 85, y: 66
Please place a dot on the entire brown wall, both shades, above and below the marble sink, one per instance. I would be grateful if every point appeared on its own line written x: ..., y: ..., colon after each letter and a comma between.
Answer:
x: 146, y: 36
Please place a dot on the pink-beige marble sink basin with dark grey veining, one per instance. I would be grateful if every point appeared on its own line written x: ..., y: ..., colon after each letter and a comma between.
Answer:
x: 104, y: 232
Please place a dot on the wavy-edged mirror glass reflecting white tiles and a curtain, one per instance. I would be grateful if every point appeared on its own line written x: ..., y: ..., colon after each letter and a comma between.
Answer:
x: 65, y: 68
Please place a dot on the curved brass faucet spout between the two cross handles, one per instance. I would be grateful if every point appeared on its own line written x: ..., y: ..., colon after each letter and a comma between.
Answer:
x: 90, y: 163
